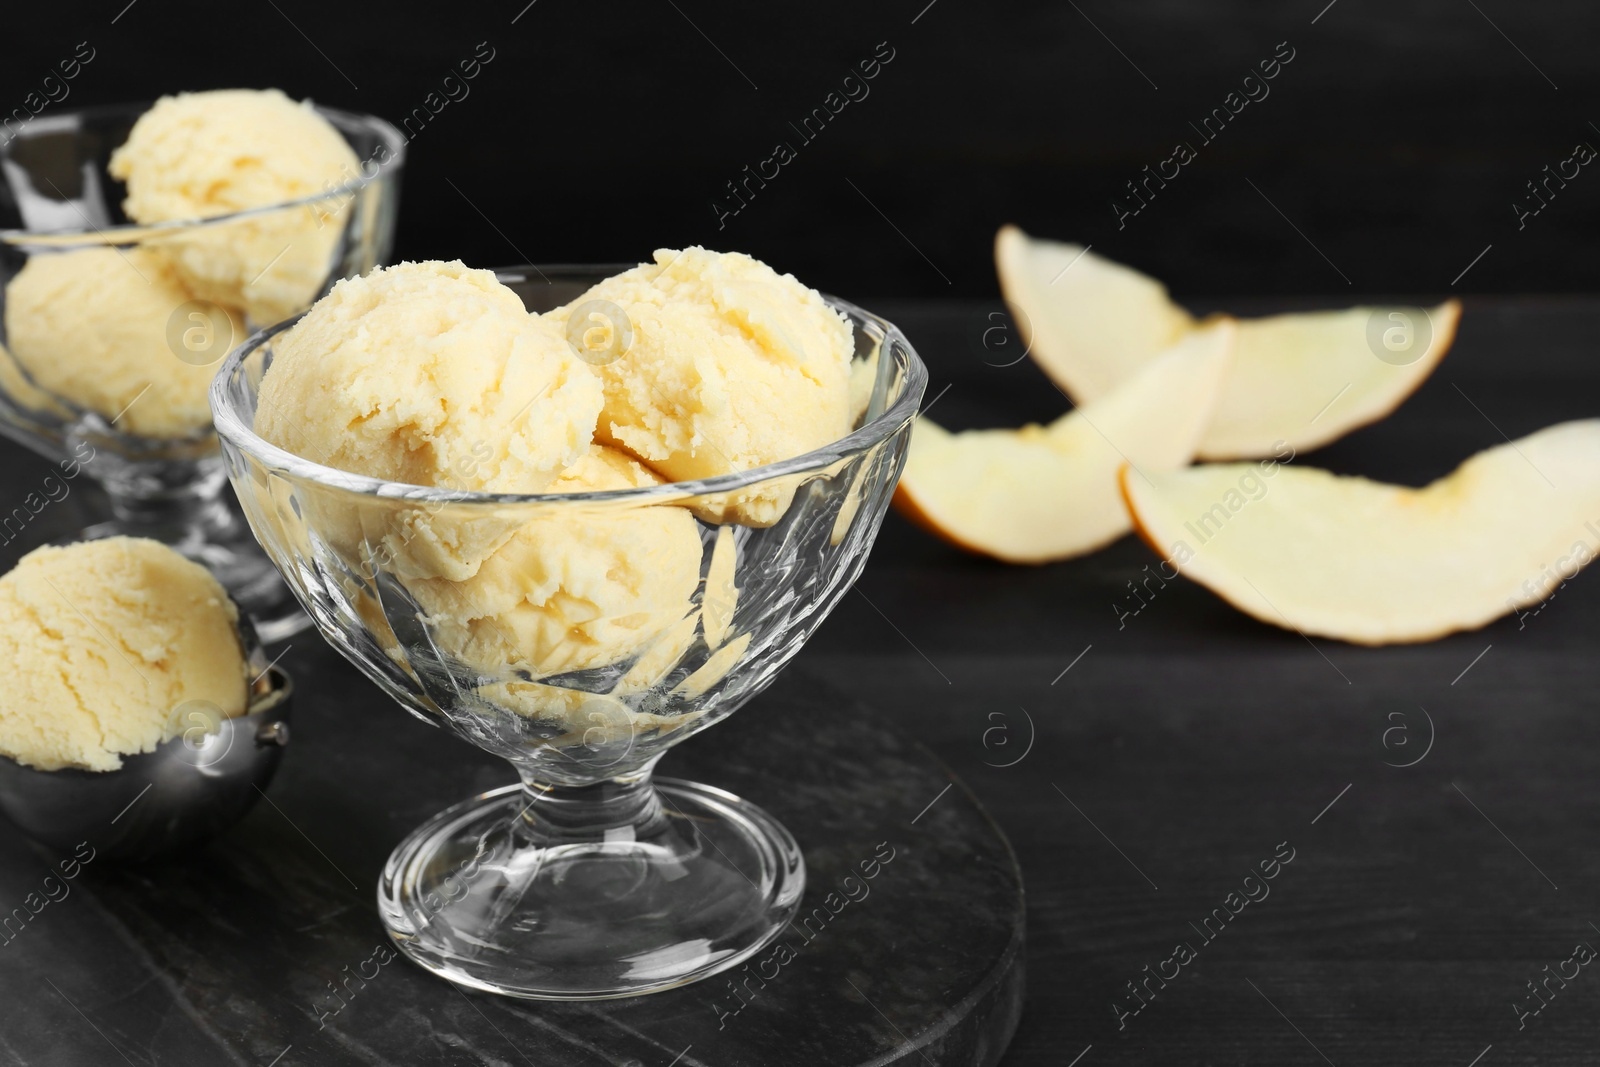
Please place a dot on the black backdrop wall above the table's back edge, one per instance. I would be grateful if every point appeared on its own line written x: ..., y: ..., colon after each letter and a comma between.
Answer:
x: 1396, y: 142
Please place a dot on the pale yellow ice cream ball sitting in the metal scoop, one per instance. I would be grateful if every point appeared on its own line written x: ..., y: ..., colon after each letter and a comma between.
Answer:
x: 103, y: 644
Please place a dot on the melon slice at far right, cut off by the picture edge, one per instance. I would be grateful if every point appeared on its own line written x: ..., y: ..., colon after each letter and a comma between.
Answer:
x: 1382, y: 564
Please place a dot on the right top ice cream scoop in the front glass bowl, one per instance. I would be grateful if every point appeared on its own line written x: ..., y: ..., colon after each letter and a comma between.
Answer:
x: 732, y: 366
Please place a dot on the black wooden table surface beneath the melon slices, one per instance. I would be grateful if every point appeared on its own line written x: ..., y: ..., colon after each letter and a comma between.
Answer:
x: 1146, y: 765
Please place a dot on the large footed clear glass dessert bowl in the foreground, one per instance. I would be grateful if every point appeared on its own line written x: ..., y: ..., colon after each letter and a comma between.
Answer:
x: 590, y: 879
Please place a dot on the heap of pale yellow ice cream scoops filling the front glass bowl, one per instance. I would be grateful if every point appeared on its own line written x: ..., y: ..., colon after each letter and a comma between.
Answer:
x: 434, y: 375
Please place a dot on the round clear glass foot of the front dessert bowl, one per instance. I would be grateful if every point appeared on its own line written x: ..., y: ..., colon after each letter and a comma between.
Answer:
x: 481, y: 898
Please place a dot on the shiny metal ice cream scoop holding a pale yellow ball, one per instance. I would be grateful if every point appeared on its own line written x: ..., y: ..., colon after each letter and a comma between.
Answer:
x: 190, y: 789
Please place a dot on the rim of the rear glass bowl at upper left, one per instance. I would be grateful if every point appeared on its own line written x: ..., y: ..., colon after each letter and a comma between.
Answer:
x: 135, y: 233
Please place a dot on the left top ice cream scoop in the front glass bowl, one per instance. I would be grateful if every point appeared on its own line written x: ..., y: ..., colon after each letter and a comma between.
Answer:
x: 434, y: 375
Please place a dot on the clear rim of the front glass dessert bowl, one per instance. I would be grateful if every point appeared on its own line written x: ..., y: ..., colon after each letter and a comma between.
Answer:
x: 233, y: 430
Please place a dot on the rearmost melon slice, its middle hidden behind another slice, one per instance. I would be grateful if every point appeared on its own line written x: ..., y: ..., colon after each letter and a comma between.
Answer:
x: 1300, y: 380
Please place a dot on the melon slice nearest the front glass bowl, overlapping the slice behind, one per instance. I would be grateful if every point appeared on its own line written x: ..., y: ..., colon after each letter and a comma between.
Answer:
x: 1050, y: 492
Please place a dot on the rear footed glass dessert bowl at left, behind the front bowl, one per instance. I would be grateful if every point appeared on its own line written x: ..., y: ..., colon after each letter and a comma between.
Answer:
x: 92, y: 303
